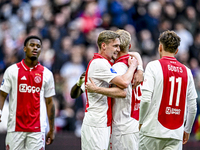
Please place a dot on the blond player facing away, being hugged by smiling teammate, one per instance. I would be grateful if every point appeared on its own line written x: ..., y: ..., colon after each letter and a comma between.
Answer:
x: 125, y: 111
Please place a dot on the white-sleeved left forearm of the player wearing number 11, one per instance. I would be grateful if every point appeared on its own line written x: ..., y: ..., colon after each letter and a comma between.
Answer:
x: 144, y: 105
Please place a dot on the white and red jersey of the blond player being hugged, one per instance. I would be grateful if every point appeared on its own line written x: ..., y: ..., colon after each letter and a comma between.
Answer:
x: 125, y: 110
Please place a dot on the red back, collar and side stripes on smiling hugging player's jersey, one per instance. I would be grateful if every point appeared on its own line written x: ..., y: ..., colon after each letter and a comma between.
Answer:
x: 109, y: 111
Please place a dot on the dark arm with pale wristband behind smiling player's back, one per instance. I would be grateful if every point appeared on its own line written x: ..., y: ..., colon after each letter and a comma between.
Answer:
x: 76, y: 90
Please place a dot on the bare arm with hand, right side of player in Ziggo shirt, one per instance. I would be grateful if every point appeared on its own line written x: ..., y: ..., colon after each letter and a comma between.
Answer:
x: 51, y: 115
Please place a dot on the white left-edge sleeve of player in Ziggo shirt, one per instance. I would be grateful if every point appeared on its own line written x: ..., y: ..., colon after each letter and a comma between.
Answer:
x: 6, y: 82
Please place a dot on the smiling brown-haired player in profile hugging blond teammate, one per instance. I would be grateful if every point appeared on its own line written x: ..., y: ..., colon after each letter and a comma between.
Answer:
x: 95, y: 132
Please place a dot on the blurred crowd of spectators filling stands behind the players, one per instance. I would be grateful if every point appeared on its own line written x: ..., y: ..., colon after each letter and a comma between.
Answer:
x: 69, y: 30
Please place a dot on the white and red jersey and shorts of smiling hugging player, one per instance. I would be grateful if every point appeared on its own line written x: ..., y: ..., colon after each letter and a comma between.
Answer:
x: 95, y: 131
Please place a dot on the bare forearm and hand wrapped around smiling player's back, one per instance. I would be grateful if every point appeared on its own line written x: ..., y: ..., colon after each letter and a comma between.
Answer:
x: 113, y: 92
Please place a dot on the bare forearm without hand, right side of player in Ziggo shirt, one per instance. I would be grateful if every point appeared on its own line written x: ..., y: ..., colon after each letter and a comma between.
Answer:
x: 50, y: 112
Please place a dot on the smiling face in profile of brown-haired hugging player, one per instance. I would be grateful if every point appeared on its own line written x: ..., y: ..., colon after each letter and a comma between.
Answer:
x: 112, y: 49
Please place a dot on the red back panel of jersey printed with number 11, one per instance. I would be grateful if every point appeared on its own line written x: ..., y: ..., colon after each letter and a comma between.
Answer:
x: 171, y: 113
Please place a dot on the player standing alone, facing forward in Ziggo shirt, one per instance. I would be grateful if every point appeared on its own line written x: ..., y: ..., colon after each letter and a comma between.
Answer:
x: 30, y: 87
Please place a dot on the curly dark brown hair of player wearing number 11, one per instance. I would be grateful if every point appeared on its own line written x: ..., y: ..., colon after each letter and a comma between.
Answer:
x: 170, y: 41
